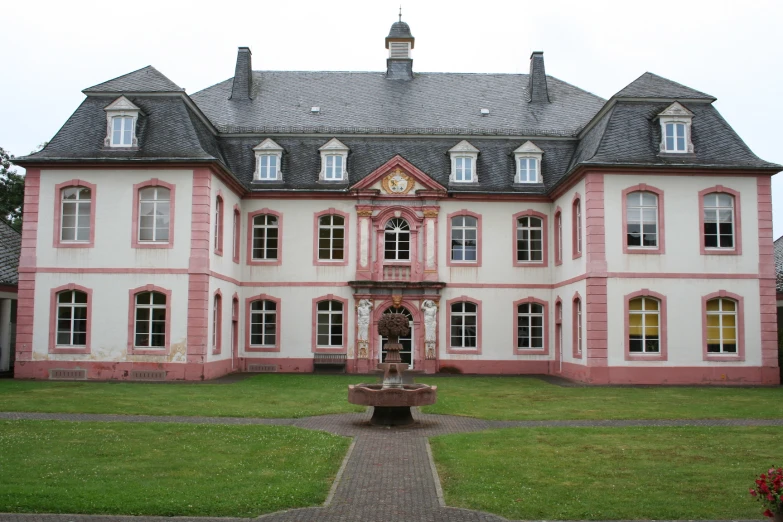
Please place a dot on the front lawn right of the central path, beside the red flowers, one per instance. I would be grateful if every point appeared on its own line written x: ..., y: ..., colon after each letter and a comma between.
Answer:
x: 608, y: 474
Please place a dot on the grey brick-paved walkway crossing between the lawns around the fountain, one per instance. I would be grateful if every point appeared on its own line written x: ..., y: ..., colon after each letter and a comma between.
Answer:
x: 388, y: 474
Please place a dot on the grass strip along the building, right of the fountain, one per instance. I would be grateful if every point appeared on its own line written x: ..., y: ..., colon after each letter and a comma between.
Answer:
x: 530, y: 398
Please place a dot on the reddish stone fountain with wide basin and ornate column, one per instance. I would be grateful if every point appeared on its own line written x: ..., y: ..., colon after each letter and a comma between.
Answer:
x: 392, y: 400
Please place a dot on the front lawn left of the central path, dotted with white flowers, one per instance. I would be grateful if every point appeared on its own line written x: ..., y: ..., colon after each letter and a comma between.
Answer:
x: 163, y: 469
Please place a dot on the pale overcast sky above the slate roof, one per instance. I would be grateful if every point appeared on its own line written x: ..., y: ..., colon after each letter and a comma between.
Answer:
x: 50, y: 51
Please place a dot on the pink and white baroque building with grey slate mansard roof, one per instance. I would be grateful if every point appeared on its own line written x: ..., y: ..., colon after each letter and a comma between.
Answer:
x: 524, y: 225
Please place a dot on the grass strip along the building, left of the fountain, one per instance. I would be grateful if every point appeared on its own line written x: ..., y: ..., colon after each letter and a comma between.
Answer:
x: 267, y: 396
